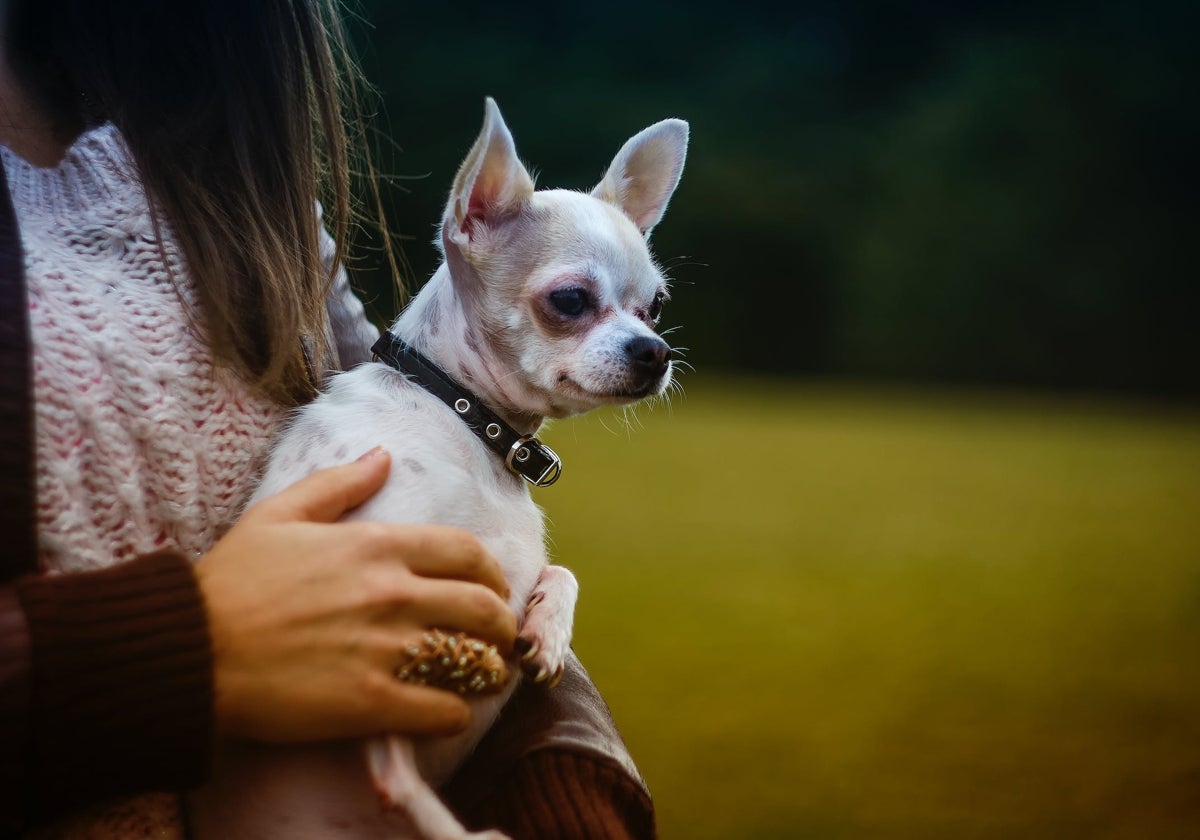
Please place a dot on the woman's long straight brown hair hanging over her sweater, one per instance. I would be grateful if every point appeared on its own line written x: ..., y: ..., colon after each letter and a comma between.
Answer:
x: 242, y: 116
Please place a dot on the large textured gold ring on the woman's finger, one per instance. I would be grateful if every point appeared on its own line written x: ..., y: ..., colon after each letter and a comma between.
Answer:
x: 454, y: 662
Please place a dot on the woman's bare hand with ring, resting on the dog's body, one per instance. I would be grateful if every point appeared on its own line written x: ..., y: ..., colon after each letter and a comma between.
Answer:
x: 310, y: 617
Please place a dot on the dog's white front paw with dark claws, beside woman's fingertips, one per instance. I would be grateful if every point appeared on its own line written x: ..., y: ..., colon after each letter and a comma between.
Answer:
x: 547, y: 633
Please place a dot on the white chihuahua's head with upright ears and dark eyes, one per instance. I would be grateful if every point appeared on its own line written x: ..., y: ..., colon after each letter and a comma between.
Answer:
x: 562, y: 285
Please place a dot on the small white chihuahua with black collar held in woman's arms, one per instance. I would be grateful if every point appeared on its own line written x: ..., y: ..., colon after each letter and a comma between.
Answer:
x: 545, y: 307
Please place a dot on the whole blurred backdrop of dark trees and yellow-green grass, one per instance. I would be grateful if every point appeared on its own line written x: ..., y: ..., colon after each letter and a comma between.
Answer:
x: 922, y: 611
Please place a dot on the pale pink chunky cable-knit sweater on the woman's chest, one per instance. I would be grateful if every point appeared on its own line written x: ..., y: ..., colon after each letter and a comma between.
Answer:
x: 142, y: 445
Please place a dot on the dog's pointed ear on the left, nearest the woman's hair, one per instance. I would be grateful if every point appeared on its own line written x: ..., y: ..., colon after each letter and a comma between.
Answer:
x: 491, y: 182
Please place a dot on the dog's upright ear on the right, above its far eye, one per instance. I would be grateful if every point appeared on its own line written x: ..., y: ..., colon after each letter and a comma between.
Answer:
x: 646, y: 172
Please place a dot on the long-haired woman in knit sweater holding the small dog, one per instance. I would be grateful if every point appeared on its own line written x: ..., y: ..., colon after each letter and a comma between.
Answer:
x: 165, y: 277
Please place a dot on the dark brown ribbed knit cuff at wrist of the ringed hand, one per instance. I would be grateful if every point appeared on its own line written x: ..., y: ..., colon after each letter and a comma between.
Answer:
x: 122, y: 683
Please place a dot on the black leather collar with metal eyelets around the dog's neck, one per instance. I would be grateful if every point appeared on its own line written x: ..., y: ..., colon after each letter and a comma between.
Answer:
x: 523, y: 454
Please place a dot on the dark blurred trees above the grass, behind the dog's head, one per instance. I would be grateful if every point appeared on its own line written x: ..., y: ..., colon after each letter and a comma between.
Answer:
x: 968, y: 193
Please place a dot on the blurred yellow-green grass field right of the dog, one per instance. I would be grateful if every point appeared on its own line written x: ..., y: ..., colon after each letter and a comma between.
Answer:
x: 824, y: 613
